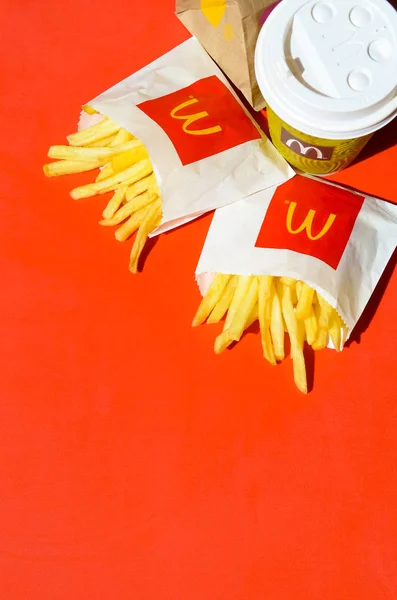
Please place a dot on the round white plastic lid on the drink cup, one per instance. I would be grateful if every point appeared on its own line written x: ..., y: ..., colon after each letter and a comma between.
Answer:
x: 329, y: 67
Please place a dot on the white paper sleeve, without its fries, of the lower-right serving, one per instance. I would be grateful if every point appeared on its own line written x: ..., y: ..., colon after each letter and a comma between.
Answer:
x: 337, y: 241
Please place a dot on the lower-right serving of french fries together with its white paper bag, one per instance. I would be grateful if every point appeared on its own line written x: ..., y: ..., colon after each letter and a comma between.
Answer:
x: 302, y: 258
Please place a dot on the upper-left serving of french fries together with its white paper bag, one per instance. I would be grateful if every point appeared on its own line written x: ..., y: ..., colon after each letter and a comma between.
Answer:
x: 170, y: 142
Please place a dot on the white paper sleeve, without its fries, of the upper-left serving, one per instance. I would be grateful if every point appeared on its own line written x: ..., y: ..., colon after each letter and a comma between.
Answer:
x: 205, y: 148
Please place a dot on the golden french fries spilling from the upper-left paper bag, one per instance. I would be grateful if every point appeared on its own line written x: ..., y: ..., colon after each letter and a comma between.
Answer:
x: 125, y: 170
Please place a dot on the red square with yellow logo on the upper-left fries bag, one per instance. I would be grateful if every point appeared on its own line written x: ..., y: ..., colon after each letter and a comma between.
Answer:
x: 201, y: 120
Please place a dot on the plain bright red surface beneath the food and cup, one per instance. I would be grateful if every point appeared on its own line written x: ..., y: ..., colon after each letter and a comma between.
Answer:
x: 134, y: 462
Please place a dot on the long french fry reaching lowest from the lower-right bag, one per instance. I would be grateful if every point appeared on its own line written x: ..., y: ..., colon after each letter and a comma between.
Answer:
x: 296, y: 334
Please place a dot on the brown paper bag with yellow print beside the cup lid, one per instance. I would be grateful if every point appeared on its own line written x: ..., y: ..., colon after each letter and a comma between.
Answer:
x: 228, y: 30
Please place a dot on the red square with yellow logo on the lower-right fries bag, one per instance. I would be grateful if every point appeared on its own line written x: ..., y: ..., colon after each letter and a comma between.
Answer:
x: 311, y: 218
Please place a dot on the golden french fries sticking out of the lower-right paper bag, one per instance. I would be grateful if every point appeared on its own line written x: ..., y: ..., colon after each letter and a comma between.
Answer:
x: 282, y: 305
